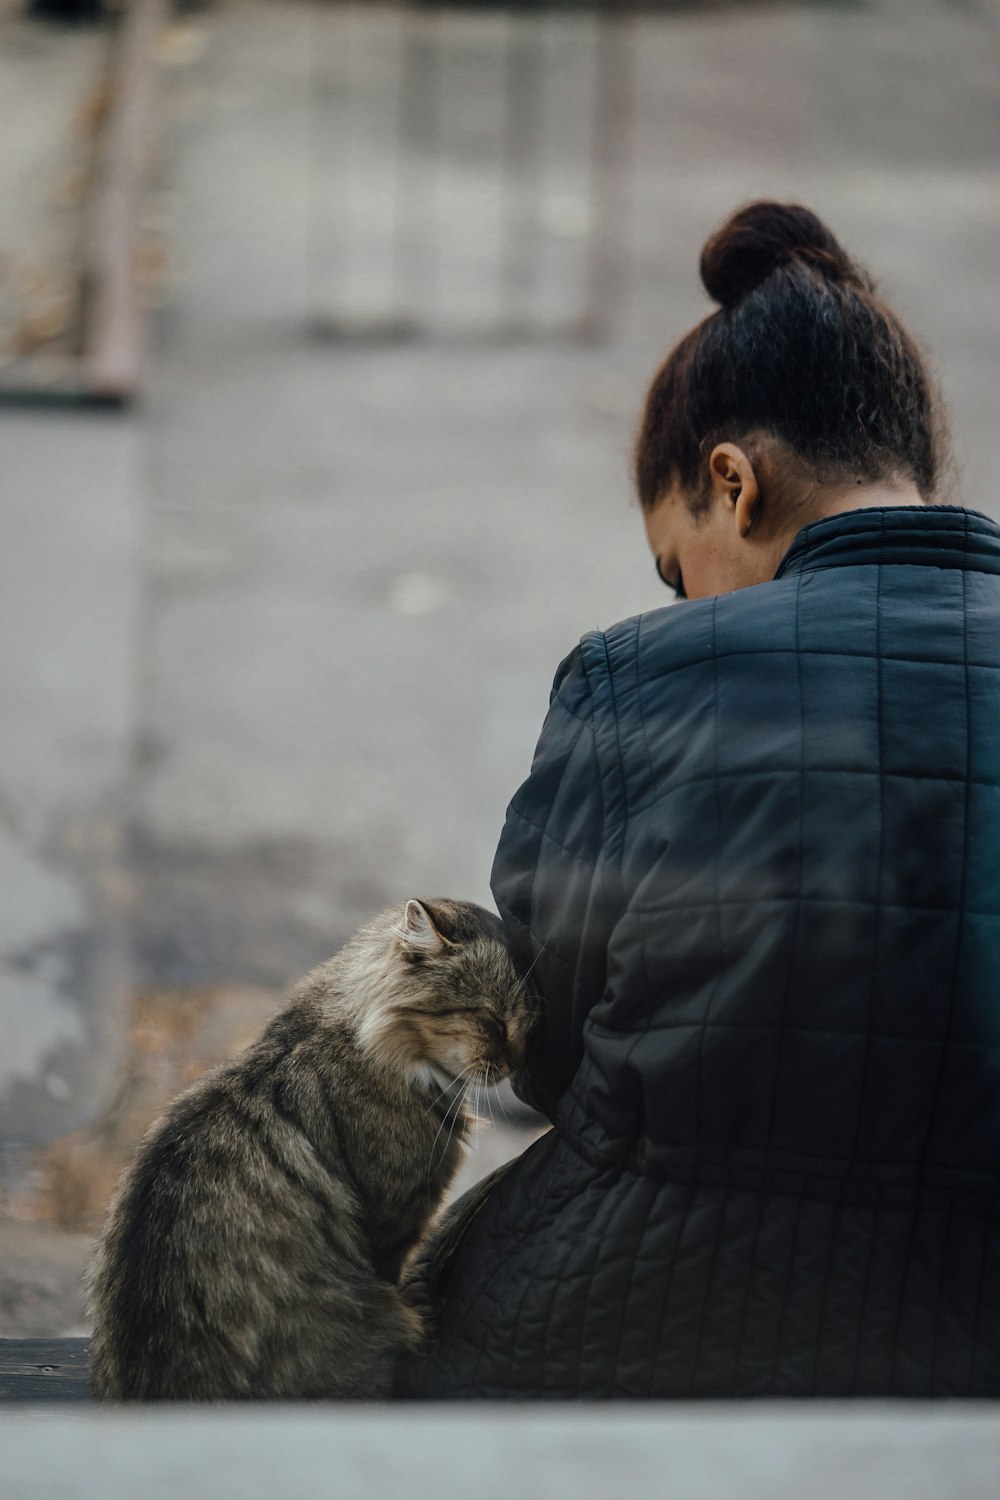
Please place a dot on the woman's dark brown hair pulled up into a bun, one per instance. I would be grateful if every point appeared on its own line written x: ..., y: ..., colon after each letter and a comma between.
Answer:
x: 801, y: 349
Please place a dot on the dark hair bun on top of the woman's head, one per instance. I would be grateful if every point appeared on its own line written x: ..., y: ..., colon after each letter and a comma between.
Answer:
x: 762, y: 238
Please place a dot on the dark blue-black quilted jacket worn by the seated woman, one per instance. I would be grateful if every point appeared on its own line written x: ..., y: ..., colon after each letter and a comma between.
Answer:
x: 756, y: 868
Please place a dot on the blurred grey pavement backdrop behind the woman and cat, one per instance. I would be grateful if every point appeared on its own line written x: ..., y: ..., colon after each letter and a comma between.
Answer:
x: 325, y: 329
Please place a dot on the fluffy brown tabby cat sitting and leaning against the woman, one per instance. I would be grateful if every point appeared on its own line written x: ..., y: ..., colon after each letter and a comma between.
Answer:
x: 254, y: 1249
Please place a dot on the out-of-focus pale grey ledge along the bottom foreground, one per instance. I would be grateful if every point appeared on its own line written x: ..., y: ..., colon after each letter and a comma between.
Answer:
x: 756, y: 1451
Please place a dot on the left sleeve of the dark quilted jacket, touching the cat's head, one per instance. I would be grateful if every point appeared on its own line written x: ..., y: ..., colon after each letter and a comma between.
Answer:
x: 551, y: 884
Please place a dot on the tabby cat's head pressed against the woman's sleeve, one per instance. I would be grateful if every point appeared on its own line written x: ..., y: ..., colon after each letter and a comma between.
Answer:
x: 455, y: 1007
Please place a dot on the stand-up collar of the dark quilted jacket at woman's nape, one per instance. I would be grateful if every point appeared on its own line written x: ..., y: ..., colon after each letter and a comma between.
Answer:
x: 932, y: 536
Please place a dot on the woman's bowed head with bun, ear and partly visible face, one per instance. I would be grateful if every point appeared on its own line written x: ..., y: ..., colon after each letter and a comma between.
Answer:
x: 801, y: 395
